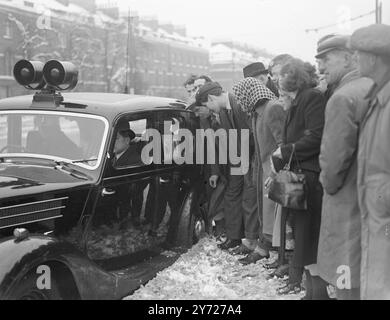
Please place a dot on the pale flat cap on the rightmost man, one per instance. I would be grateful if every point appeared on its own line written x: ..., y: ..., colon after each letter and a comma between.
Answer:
x: 374, y: 39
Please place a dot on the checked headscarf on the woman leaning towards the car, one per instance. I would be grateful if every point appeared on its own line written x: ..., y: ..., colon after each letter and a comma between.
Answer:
x: 249, y: 91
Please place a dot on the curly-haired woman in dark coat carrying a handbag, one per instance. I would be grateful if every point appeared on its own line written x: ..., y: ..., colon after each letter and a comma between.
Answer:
x: 302, y: 132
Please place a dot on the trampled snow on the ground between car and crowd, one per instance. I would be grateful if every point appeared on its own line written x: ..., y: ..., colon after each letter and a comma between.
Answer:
x: 207, y: 273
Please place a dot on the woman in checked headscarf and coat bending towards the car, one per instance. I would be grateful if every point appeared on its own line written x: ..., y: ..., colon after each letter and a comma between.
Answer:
x: 267, y: 117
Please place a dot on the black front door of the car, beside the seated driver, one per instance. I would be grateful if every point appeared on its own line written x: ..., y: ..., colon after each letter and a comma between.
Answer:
x: 119, y: 226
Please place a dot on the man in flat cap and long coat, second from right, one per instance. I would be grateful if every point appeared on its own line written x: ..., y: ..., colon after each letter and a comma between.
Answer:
x: 339, y: 243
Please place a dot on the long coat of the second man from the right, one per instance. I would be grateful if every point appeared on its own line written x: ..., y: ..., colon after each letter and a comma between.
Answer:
x: 340, y: 234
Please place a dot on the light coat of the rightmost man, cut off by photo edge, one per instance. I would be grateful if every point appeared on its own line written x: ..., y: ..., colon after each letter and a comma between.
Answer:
x: 374, y: 196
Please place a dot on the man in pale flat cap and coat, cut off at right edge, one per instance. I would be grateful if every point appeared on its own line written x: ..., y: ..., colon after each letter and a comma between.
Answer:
x: 372, y: 44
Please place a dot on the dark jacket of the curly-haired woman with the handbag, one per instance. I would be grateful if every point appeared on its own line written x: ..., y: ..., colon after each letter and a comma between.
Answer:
x: 303, y: 127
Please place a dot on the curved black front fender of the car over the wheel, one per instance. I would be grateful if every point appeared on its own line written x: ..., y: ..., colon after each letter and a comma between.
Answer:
x: 21, y: 258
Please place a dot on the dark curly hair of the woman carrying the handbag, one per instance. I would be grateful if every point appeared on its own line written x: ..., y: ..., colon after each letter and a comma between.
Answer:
x: 297, y: 75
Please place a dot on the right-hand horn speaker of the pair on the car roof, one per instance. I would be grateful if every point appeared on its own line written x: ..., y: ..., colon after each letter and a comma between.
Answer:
x: 60, y: 75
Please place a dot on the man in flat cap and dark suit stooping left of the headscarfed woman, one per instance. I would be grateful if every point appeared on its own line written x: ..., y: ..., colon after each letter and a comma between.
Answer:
x: 240, y: 199
